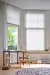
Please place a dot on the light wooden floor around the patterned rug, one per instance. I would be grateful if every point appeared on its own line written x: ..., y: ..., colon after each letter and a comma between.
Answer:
x: 13, y: 71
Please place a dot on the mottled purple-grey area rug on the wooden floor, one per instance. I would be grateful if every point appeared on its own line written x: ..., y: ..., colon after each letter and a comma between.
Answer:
x: 34, y: 71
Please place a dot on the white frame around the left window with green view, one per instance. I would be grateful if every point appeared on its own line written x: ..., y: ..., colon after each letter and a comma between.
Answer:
x: 6, y: 29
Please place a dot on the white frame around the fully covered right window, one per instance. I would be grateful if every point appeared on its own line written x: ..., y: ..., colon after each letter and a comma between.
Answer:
x: 36, y: 12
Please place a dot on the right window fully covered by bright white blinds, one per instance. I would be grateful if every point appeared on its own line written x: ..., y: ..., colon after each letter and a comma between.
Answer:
x: 35, y: 31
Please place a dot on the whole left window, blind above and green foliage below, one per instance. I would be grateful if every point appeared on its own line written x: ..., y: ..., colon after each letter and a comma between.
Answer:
x: 12, y: 25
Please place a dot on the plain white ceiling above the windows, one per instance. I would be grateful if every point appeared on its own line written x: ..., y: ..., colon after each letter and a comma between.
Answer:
x: 30, y: 4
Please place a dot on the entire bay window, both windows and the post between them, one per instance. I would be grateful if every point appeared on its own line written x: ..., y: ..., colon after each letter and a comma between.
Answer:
x: 34, y: 28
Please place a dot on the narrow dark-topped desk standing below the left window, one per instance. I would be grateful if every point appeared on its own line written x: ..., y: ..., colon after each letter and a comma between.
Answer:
x: 17, y: 53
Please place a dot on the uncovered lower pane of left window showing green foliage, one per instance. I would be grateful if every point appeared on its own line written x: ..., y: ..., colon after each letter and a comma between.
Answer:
x: 12, y: 37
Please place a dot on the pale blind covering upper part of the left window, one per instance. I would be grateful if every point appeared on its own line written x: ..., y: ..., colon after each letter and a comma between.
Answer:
x: 13, y: 15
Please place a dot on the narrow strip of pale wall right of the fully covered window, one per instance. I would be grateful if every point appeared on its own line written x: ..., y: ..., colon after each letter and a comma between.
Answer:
x: 48, y: 29
